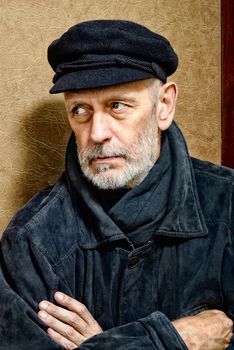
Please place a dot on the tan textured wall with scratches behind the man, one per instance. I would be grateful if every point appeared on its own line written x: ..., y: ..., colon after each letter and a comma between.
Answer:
x: 33, y: 126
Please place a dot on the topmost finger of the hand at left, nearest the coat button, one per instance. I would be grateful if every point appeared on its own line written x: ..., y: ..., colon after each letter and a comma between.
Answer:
x: 74, y: 305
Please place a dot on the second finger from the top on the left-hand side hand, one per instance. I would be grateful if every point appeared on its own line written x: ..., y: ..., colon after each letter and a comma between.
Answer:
x: 66, y: 316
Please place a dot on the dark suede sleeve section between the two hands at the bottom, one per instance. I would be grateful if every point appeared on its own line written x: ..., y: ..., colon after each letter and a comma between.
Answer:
x: 154, y: 332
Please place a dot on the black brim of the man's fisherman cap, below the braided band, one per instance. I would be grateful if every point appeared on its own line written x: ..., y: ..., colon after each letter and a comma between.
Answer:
x: 97, y: 78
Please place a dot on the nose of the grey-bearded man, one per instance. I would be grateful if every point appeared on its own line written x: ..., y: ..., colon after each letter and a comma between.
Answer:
x: 101, y: 130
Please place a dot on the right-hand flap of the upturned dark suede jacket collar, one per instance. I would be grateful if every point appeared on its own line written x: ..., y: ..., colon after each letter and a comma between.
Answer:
x: 184, y: 217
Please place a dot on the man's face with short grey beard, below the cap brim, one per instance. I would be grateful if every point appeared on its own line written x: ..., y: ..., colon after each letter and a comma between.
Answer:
x: 116, y: 132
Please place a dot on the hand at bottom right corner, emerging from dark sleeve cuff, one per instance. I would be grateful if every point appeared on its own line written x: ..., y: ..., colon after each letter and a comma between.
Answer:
x: 209, y: 330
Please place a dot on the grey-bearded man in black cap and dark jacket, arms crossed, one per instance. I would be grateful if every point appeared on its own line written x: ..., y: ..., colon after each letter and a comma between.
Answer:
x: 132, y: 248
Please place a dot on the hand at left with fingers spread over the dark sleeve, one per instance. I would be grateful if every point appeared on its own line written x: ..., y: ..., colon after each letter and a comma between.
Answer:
x: 69, y: 325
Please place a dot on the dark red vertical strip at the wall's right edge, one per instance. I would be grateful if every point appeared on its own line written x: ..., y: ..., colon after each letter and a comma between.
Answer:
x: 227, y: 14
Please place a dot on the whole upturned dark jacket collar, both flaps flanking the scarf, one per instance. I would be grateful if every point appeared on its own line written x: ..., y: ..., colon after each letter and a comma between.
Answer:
x: 182, y: 218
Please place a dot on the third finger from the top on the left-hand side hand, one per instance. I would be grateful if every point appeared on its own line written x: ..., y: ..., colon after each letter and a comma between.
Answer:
x: 63, y: 329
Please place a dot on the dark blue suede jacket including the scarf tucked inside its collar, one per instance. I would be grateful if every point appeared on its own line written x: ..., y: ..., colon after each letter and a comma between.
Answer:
x: 164, y: 250
